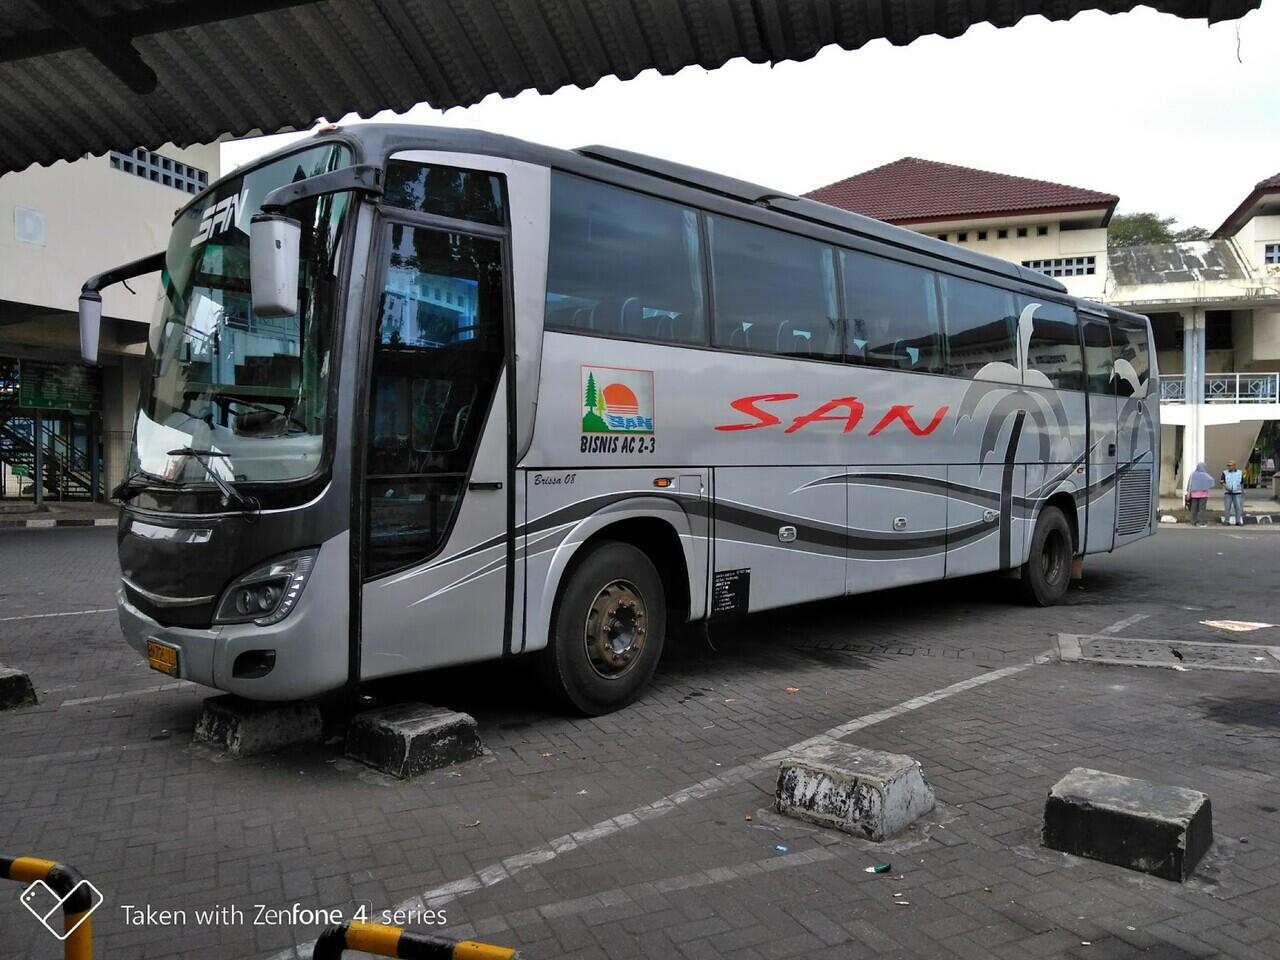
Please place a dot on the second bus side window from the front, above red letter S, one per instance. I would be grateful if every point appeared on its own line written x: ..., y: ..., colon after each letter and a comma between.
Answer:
x: 775, y: 292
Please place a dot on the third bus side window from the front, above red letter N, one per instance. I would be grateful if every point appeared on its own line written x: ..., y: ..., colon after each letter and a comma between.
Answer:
x: 893, y: 314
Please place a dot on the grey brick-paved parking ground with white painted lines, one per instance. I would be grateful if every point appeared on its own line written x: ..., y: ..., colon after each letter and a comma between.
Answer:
x: 628, y: 836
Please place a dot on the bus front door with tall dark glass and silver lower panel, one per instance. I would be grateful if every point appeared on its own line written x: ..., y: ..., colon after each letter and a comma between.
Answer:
x: 438, y: 501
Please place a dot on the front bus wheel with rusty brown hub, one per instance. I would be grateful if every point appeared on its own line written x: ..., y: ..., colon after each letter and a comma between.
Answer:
x: 609, y: 627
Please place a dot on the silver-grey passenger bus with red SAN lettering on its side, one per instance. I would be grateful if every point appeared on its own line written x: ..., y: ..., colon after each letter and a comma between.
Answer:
x: 422, y: 397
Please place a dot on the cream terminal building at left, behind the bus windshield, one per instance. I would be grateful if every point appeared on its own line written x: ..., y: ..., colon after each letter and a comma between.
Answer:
x: 62, y: 420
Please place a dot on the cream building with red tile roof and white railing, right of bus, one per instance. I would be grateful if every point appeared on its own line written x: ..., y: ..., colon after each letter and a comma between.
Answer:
x: 1214, y: 304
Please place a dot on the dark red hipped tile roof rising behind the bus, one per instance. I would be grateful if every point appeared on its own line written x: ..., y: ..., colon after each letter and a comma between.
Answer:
x: 920, y: 191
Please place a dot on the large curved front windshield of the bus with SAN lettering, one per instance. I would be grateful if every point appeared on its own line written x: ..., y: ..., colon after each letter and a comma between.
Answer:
x: 249, y: 395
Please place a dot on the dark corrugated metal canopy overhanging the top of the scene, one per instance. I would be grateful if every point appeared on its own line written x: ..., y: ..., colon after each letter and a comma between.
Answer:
x: 89, y: 76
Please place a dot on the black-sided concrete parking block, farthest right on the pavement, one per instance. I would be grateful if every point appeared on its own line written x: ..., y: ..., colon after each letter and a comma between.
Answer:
x: 1133, y: 824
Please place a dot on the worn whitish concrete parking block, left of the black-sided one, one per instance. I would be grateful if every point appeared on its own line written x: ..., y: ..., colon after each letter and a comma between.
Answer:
x: 865, y: 793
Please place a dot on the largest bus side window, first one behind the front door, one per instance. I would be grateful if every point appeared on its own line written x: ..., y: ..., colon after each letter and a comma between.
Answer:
x: 623, y: 264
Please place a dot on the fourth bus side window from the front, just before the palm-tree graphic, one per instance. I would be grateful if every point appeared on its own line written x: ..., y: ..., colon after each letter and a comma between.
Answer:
x: 981, y: 323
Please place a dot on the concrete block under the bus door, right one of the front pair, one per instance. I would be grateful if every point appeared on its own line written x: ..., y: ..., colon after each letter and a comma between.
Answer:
x: 410, y: 739
